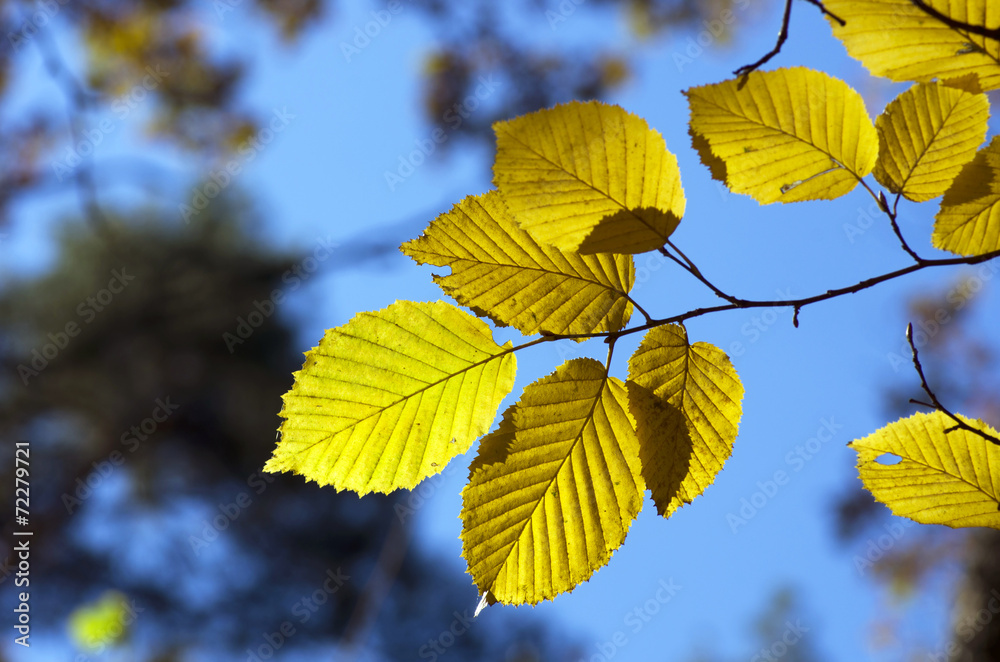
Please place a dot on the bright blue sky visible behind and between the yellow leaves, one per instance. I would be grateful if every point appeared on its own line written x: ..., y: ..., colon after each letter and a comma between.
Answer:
x: 324, y: 176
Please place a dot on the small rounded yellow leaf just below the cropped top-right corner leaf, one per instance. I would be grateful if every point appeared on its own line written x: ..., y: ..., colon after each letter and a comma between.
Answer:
x: 926, y: 135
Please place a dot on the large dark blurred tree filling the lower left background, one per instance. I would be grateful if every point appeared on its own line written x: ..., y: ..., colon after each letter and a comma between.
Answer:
x: 147, y: 438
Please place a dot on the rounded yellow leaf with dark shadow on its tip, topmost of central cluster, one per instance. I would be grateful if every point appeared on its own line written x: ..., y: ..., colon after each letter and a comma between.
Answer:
x: 589, y: 177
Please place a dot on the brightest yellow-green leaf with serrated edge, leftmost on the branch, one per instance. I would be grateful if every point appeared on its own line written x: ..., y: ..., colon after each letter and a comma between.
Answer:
x: 391, y: 397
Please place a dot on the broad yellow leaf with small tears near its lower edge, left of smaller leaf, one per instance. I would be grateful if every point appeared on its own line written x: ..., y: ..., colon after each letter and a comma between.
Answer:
x: 784, y: 136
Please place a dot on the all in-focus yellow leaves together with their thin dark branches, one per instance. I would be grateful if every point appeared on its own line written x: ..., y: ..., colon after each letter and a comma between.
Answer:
x: 392, y: 396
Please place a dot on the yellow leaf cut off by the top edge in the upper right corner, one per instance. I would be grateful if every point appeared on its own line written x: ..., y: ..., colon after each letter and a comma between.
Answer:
x: 895, y: 39
